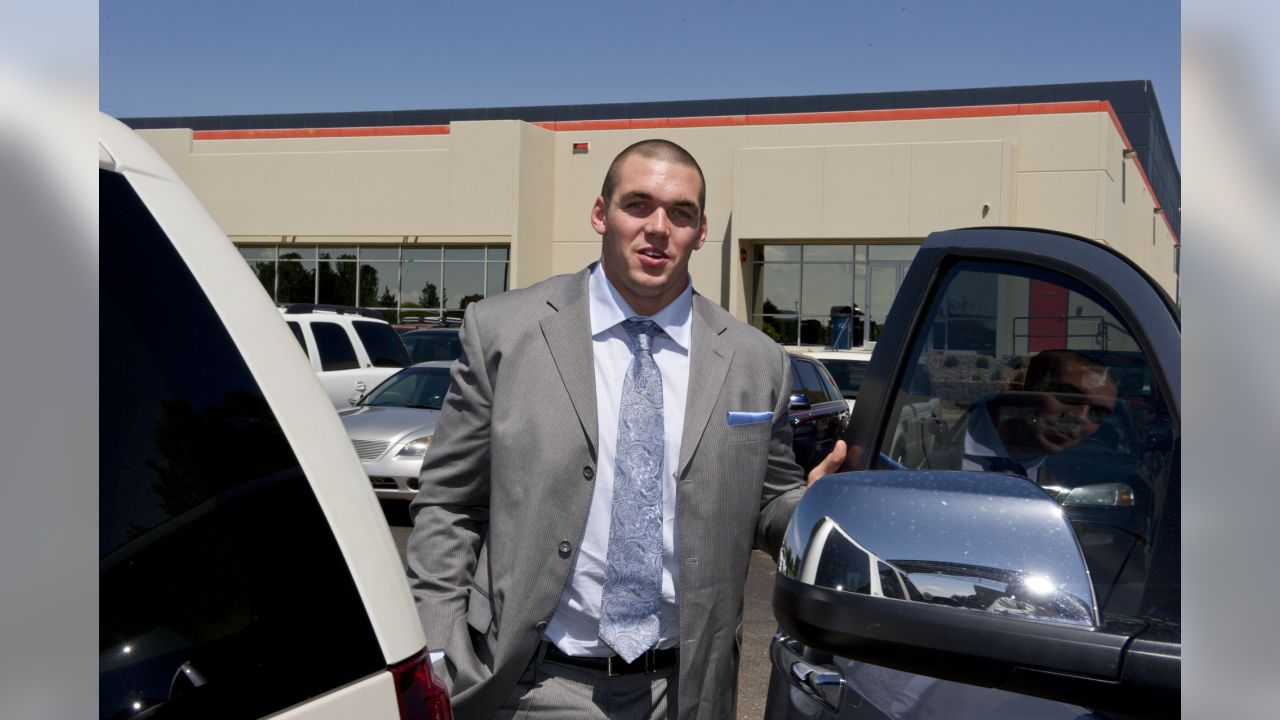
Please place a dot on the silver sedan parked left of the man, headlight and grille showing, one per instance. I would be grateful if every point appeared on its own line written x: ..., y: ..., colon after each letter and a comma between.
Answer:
x: 392, y: 427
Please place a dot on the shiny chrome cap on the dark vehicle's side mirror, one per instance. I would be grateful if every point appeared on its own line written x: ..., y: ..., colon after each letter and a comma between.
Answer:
x: 985, y: 543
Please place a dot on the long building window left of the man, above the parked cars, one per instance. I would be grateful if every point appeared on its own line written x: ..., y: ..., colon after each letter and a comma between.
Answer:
x: 408, y: 284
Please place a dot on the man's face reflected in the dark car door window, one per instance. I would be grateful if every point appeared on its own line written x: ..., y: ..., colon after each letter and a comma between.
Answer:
x: 1073, y: 407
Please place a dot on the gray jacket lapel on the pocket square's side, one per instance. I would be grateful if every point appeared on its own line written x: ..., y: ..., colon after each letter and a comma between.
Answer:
x: 710, y: 361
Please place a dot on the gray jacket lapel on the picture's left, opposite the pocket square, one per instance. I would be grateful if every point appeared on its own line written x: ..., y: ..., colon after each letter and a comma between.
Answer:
x: 569, y: 336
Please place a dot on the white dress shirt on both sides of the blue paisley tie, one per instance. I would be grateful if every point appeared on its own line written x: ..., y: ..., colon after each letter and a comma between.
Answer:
x: 577, y: 625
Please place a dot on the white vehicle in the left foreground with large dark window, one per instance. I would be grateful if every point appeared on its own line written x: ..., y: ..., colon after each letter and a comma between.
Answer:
x: 245, y: 569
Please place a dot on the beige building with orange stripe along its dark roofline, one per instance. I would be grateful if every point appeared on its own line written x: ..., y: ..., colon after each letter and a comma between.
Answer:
x: 808, y: 209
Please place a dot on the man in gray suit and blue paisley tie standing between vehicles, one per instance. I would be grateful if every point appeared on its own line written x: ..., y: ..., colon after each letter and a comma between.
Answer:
x: 612, y: 448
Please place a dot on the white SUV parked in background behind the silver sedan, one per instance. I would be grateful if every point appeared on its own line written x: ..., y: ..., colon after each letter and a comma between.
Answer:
x: 349, y: 348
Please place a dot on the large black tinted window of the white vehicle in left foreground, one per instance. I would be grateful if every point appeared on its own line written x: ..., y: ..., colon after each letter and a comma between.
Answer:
x: 223, y: 594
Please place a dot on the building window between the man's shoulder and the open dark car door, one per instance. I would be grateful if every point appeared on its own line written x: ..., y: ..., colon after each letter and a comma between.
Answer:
x: 826, y: 295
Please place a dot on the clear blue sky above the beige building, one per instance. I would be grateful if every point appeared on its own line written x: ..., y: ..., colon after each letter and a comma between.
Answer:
x: 185, y: 58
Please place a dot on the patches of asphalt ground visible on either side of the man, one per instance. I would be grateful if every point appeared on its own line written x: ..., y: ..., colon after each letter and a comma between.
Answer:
x: 758, y: 625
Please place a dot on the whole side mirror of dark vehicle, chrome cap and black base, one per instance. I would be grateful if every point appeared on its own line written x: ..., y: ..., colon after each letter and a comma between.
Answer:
x: 968, y: 577
